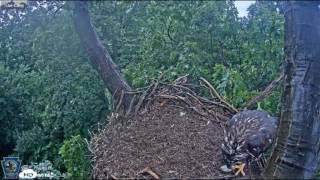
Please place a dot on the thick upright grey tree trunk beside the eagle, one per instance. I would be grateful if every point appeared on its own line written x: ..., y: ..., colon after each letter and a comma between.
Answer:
x: 296, y: 154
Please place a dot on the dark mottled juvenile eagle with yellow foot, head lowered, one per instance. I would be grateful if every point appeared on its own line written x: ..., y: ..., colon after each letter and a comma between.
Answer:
x: 247, y: 136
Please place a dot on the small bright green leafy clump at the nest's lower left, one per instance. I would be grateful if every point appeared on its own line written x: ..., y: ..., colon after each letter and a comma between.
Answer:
x: 73, y: 153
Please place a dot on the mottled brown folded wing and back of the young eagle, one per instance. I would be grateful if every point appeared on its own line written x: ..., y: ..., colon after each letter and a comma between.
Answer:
x: 251, y: 130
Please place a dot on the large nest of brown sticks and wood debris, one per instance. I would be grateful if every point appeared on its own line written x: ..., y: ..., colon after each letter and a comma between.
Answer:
x: 168, y: 131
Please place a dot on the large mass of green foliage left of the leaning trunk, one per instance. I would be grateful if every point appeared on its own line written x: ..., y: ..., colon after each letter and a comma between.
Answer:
x: 48, y: 90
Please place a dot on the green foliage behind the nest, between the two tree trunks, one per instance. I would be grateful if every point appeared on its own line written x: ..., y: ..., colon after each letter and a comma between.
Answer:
x: 202, y: 39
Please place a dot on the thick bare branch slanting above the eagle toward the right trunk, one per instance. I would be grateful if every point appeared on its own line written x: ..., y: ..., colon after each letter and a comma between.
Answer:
x: 264, y: 93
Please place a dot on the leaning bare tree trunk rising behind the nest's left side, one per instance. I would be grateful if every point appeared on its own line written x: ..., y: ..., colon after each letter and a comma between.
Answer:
x: 99, y: 56
